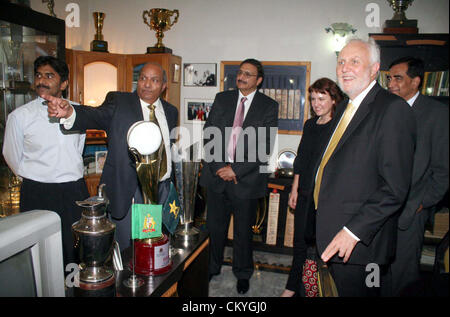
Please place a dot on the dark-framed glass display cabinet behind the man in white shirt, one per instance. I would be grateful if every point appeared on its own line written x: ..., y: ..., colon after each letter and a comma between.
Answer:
x: 24, y: 35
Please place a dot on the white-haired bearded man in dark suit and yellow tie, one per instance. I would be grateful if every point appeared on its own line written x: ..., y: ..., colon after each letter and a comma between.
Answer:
x: 363, y: 176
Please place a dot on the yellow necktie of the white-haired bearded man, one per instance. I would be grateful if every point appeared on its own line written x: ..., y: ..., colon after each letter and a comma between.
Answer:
x: 340, y: 129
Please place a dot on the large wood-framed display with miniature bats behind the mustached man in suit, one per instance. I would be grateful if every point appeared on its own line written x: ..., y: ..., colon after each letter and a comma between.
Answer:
x: 285, y: 82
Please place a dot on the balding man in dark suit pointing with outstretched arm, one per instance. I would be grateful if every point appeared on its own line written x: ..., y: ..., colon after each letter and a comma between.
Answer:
x: 117, y: 113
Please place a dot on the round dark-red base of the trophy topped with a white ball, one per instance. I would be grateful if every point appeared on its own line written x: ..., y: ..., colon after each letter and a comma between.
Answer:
x: 151, y: 256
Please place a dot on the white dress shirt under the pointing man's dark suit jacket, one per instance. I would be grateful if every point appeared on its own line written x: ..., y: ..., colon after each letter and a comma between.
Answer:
x: 160, y: 116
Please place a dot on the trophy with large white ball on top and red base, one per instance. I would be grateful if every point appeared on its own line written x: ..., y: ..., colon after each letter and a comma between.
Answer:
x: 151, y: 255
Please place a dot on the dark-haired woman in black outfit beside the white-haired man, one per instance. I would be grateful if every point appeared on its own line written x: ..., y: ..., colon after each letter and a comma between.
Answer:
x: 324, y: 95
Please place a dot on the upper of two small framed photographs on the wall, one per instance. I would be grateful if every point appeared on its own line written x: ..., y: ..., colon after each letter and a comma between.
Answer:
x: 200, y: 75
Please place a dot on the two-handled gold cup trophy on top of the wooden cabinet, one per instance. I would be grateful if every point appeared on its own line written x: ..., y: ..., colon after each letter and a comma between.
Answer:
x: 159, y: 20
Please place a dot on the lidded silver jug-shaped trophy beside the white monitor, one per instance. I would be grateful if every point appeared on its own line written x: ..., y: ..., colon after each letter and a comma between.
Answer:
x: 94, y: 236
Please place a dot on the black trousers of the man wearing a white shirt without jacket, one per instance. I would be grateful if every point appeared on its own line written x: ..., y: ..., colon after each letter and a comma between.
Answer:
x: 60, y: 198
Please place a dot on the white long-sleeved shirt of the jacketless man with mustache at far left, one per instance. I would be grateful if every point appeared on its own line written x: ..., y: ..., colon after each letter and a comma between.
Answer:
x: 35, y: 148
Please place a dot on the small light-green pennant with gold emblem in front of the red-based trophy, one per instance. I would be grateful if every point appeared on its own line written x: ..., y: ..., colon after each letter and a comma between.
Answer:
x: 146, y: 221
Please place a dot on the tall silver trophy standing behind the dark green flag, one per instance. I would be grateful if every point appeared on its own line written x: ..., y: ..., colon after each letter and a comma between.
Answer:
x: 186, y: 174
